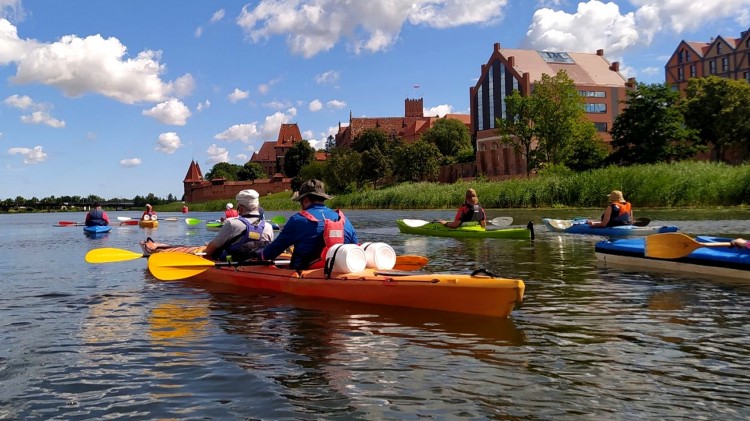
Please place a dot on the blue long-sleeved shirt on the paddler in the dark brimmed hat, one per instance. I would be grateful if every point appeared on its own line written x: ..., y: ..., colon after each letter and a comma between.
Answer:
x: 306, y: 236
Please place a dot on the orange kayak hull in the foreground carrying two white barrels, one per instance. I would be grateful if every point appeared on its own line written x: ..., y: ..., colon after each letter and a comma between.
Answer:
x: 459, y: 293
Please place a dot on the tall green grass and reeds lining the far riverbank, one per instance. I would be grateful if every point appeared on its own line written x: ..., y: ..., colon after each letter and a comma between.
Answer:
x: 683, y: 184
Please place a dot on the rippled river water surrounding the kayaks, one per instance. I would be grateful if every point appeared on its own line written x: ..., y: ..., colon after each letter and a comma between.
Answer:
x: 80, y: 341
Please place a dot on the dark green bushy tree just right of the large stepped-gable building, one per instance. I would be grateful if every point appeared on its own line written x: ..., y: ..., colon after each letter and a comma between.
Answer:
x: 652, y: 128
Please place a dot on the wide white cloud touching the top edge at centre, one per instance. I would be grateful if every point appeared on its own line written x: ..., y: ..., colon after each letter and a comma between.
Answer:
x: 314, y: 26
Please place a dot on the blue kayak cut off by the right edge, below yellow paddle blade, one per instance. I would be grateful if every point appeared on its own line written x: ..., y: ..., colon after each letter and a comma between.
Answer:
x: 712, y: 261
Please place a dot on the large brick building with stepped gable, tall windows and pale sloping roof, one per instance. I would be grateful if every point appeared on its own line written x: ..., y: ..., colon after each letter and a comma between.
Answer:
x: 598, y: 81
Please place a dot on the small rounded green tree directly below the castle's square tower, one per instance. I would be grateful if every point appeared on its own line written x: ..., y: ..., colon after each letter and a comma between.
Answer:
x: 418, y: 161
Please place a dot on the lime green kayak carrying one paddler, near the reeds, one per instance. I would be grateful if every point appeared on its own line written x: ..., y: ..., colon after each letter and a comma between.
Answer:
x: 466, y: 230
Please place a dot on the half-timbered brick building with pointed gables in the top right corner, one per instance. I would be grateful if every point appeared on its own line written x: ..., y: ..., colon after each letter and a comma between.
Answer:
x: 721, y: 56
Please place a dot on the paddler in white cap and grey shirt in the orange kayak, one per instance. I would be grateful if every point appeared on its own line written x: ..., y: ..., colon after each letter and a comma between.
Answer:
x: 240, y: 237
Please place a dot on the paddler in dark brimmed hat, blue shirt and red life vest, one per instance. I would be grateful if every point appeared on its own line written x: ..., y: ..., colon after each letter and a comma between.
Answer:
x: 311, y: 231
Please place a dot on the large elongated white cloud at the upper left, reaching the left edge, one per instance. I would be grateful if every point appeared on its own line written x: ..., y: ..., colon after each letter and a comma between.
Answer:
x: 92, y: 64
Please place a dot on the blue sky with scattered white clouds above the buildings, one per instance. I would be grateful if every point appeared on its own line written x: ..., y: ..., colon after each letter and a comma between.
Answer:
x: 116, y: 98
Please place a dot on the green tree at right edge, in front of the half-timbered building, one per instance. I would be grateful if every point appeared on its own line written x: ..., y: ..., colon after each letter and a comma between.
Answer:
x: 719, y: 109
